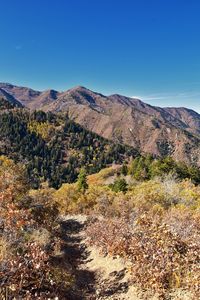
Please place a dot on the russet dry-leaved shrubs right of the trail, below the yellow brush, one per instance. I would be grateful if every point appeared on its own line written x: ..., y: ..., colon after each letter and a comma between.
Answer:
x: 161, y: 259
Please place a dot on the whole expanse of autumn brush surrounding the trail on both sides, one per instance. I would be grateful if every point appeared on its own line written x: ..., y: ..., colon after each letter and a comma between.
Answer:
x: 153, y: 225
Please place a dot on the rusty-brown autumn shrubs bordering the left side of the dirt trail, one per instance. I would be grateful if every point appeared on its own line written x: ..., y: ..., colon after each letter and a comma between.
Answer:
x: 26, y: 263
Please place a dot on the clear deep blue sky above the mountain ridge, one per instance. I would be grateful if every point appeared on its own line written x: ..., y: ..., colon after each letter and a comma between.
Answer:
x: 144, y: 48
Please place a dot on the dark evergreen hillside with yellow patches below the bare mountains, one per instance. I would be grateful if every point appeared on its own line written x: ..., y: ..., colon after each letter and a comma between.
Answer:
x: 54, y: 148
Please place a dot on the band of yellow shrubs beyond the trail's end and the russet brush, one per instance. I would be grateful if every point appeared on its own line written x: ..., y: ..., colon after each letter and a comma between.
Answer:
x: 152, y: 195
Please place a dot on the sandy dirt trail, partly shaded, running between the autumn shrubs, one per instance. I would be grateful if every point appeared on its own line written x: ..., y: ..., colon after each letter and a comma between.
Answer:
x: 96, y: 276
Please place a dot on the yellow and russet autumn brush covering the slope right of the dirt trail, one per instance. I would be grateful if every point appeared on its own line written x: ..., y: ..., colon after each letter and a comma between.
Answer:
x: 155, y: 228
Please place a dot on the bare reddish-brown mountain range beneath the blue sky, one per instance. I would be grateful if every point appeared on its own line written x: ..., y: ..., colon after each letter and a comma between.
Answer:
x: 151, y: 129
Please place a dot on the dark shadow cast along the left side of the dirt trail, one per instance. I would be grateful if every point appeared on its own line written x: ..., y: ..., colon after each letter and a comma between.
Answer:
x: 74, y: 254
